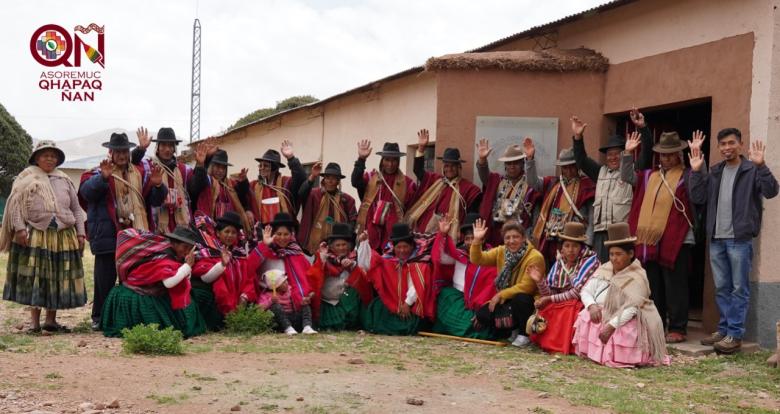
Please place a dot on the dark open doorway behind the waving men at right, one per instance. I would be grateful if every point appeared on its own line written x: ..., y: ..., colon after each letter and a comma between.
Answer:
x: 684, y: 118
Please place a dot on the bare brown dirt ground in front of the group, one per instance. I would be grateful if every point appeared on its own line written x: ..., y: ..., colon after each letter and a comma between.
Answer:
x: 73, y: 373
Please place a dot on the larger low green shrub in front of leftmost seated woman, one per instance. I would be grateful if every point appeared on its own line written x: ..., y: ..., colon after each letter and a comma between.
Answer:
x: 150, y: 340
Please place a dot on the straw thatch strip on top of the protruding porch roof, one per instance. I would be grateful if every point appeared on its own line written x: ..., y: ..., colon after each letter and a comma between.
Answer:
x: 550, y: 60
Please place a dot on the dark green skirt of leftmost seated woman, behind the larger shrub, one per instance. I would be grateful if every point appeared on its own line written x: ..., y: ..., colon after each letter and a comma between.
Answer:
x: 124, y: 309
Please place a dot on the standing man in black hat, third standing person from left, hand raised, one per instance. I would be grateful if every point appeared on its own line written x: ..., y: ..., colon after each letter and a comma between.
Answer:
x: 175, y: 210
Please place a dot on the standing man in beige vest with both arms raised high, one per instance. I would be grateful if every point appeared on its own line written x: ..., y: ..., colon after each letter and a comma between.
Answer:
x: 613, y: 198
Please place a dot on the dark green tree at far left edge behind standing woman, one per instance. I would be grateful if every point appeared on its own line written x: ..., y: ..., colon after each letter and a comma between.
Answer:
x: 15, y: 150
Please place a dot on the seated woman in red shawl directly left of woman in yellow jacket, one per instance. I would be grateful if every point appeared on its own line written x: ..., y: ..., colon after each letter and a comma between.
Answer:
x: 465, y: 287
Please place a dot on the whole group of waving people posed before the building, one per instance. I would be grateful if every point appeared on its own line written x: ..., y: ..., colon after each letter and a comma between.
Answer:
x: 593, y: 261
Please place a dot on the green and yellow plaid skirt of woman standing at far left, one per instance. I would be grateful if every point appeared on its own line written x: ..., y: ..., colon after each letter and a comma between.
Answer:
x: 48, y: 273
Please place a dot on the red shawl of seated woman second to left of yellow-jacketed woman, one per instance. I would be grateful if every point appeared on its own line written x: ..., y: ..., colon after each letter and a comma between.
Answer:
x: 391, y: 285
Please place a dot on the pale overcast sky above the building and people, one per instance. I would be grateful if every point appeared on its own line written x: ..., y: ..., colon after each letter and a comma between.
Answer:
x: 254, y: 53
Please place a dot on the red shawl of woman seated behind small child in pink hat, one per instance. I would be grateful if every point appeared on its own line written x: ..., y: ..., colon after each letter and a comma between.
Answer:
x: 295, y: 266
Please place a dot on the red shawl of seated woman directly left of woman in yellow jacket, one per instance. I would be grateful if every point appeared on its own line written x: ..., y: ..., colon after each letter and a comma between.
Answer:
x: 478, y: 288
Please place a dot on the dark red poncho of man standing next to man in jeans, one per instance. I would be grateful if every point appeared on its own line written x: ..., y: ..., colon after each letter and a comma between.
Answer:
x: 665, y: 252
